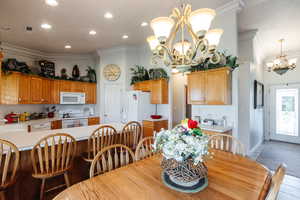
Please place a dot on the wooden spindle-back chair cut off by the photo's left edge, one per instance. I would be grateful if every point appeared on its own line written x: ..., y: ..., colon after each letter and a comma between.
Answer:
x: 9, y: 163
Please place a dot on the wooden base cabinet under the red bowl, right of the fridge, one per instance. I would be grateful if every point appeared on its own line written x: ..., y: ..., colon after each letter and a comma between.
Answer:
x: 150, y: 126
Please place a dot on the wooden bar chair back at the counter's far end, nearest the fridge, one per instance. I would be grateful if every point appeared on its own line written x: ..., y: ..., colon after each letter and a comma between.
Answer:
x: 131, y: 134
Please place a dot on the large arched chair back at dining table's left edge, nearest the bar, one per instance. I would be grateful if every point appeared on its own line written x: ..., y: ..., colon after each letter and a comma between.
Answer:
x: 110, y: 158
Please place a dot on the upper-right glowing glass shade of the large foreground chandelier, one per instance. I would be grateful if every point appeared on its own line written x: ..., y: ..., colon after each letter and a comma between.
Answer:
x: 201, y: 19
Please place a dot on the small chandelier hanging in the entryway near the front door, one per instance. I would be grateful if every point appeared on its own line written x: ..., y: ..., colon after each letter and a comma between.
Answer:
x: 281, y: 64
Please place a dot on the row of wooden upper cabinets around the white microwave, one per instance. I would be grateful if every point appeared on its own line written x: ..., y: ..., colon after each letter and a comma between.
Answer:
x: 18, y: 88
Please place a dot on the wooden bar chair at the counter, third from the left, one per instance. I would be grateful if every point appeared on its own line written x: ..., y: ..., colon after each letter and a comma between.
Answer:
x: 101, y: 137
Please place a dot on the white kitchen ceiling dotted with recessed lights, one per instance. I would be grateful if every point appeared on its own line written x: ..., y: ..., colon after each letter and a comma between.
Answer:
x: 71, y: 21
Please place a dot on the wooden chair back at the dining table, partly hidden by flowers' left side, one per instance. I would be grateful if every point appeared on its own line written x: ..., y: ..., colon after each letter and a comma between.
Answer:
x: 145, y: 149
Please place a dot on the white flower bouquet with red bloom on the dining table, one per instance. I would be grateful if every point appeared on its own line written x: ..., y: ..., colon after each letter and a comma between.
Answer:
x: 185, y: 141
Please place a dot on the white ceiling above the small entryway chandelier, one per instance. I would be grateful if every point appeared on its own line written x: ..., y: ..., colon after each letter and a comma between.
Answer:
x: 274, y: 19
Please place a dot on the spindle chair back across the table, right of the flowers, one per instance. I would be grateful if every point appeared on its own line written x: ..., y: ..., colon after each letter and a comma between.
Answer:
x: 226, y: 143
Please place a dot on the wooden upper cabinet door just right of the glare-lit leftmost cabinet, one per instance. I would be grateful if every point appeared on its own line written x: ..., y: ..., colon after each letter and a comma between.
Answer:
x: 24, y: 89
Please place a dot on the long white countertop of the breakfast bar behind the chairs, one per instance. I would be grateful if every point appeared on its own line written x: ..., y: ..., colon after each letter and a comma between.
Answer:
x: 25, y: 141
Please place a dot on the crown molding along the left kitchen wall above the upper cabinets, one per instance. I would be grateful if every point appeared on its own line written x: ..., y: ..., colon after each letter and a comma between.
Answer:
x: 35, y: 54
